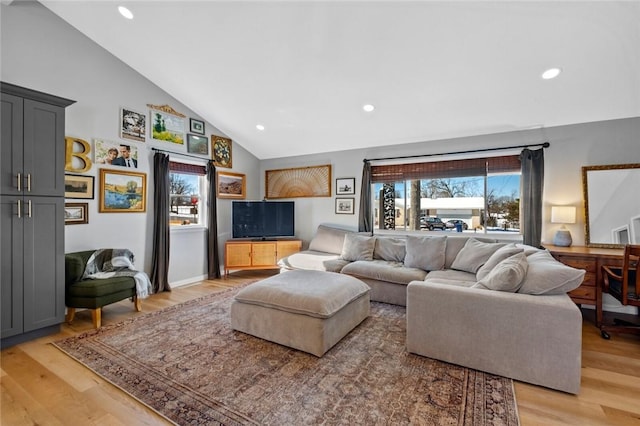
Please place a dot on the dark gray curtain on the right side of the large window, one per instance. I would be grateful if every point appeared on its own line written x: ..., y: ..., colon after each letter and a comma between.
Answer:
x: 532, y: 187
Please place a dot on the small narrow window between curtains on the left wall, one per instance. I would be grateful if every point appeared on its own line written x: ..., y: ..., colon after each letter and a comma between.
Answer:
x: 187, y: 184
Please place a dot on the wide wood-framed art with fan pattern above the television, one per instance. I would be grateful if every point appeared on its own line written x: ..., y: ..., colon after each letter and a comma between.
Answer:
x: 314, y: 181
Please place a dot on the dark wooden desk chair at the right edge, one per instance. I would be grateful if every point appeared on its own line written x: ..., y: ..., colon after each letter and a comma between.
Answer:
x: 623, y: 284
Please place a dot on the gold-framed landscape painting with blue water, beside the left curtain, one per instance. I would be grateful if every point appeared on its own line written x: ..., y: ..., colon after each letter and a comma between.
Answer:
x: 122, y: 191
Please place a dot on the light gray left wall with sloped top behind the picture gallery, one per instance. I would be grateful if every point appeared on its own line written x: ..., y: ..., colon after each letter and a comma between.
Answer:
x: 42, y: 52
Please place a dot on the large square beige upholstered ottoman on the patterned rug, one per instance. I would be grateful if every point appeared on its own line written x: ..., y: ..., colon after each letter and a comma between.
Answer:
x: 306, y: 310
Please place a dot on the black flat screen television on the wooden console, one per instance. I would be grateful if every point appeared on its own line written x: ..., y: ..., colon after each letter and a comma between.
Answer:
x: 262, y: 219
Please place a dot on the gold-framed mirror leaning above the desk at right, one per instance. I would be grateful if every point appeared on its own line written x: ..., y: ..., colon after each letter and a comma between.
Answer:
x: 611, y: 205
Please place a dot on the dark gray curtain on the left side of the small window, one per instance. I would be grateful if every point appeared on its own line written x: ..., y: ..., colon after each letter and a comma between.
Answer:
x: 160, y: 256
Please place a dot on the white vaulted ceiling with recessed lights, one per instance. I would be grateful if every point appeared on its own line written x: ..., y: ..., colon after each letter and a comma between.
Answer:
x: 431, y: 69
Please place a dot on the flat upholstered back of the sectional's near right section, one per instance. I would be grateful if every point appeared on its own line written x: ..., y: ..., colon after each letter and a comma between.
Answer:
x: 536, y: 339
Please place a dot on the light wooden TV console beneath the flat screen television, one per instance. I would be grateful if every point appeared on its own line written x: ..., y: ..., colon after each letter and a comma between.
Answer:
x: 249, y: 254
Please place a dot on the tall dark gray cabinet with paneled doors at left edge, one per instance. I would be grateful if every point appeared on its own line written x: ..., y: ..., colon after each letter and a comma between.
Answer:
x: 31, y: 213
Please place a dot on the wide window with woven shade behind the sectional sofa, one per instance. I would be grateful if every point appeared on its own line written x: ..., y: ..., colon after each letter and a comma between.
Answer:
x: 473, y: 195
